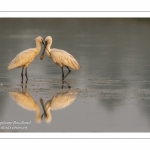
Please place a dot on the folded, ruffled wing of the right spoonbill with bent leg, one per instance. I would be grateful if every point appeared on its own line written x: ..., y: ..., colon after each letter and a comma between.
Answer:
x: 62, y: 58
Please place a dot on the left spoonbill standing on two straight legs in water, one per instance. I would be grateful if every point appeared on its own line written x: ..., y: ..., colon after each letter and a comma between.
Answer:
x: 24, y: 58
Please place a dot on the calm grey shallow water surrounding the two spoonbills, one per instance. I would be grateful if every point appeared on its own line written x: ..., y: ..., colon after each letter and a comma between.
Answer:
x: 111, y: 89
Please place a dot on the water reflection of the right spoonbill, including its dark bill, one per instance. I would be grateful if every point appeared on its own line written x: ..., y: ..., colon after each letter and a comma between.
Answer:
x: 59, y: 101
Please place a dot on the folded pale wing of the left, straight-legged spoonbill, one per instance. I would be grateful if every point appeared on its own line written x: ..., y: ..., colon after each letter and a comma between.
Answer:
x: 23, y: 58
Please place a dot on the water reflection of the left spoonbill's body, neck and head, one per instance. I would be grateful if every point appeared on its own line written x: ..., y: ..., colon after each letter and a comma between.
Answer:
x: 25, y: 100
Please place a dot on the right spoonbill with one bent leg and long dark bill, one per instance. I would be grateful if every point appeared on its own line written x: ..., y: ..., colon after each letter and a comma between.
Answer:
x: 60, y: 57
